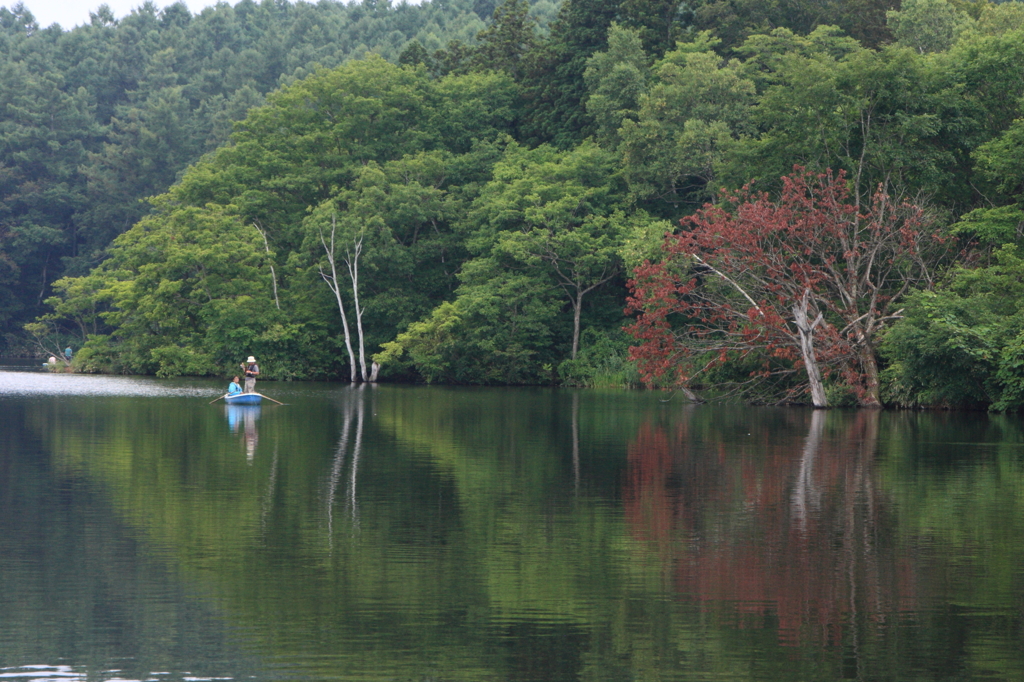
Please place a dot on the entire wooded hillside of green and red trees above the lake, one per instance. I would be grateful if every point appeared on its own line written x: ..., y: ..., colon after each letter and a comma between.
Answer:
x: 784, y: 202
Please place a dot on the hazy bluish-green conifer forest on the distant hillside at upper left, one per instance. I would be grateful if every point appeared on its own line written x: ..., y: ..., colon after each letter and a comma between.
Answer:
x: 96, y: 119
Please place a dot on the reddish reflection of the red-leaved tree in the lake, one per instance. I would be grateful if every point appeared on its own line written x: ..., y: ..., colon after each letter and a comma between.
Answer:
x: 776, y: 533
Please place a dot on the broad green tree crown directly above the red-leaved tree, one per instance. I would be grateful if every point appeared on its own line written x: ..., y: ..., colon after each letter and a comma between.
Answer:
x: 884, y: 117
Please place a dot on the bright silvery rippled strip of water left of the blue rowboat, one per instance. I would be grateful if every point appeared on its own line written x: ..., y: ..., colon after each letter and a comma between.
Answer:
x: 46, y: 383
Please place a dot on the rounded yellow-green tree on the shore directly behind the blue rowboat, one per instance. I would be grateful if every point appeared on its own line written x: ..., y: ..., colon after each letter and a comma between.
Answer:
x: 183, y: 293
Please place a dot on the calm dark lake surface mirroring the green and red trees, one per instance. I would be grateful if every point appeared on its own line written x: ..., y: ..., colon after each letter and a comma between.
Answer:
x: 397, y: 533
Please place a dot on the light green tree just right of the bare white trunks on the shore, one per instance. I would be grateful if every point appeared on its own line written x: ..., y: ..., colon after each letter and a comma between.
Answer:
x: 546, y: 233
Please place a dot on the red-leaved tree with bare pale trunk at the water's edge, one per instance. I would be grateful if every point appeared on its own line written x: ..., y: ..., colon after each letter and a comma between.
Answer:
x: 802, y: 284
